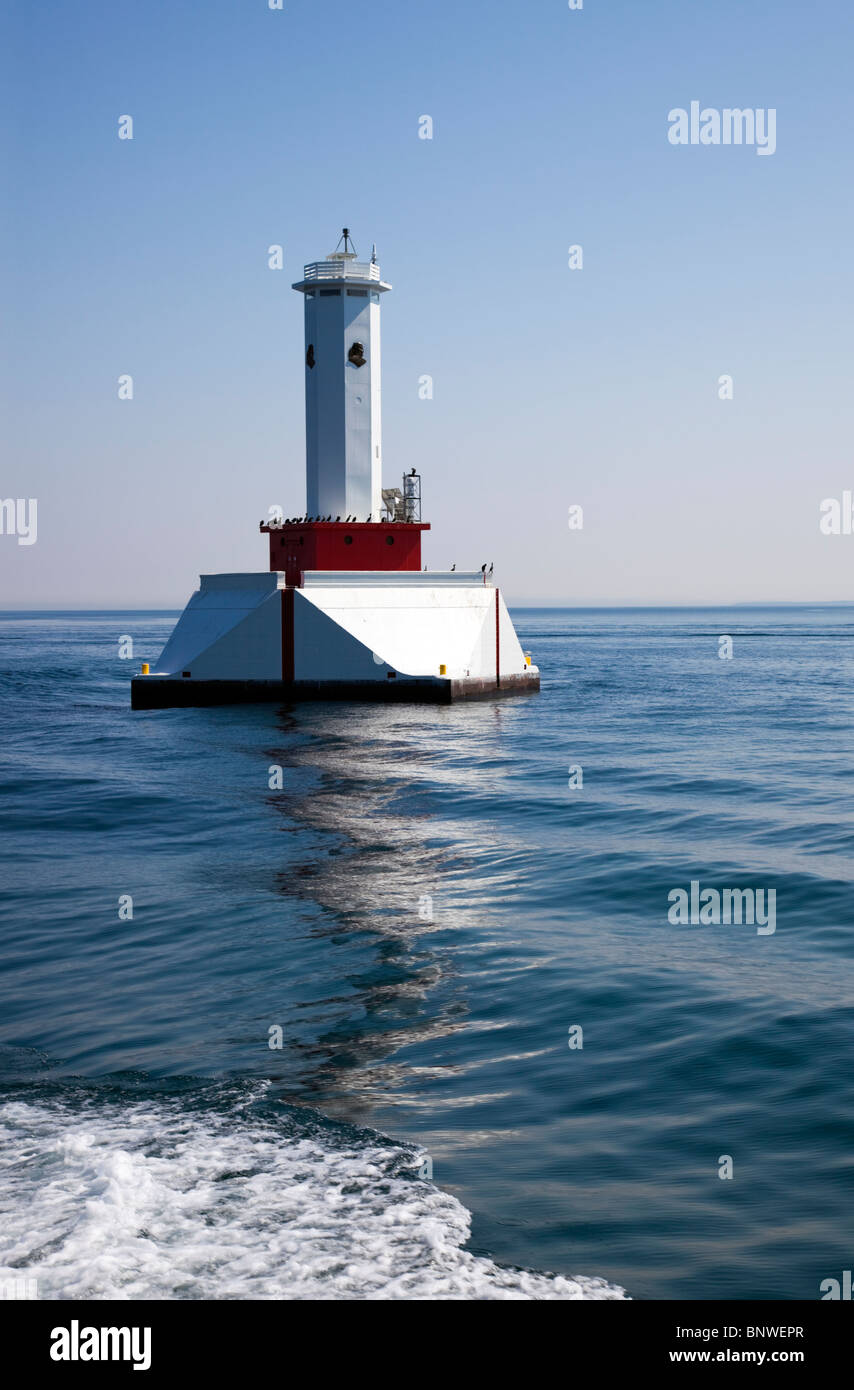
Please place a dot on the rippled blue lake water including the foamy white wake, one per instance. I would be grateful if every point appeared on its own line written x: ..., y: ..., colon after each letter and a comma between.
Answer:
x: 156, y: 1145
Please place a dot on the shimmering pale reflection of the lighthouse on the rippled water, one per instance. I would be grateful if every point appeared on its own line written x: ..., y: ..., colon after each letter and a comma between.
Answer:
x: 398, y: 874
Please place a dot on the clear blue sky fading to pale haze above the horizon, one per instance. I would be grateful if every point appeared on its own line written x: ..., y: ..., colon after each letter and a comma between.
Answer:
x: 553, y: 389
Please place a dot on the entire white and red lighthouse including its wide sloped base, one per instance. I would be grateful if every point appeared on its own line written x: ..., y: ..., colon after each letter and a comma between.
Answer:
x: 344, y: 610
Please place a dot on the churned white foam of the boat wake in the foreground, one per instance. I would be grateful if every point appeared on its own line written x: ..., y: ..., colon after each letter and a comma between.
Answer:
x: 150, y: 1199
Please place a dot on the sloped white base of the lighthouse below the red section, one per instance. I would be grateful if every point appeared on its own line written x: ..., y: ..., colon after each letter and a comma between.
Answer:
x: 447, y: 635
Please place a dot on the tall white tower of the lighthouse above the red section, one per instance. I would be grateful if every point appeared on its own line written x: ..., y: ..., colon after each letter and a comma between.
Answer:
x: 344, y: 430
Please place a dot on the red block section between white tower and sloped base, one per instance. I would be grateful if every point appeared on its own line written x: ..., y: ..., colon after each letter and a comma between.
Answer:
x: 344, y: 546
